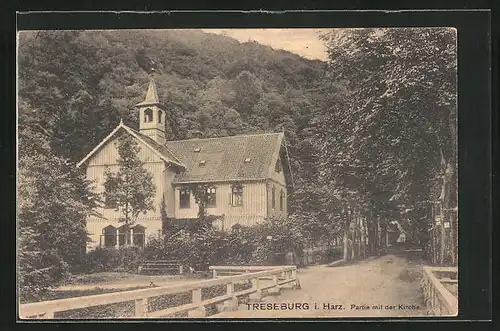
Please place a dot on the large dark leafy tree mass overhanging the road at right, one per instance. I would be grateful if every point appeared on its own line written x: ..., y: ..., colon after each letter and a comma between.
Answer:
x: 399, y: 130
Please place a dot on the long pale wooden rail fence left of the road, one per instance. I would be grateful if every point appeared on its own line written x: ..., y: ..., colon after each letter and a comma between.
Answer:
x: 280, y: 275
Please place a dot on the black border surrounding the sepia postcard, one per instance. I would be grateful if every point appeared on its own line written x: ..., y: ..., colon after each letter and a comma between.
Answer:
x: 474, y: 115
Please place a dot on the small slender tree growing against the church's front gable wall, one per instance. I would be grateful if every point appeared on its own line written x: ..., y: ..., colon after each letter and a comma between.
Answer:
x: 131, y: 190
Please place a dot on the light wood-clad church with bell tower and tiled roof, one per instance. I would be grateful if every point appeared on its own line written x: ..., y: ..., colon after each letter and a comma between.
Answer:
x: 247, y: 176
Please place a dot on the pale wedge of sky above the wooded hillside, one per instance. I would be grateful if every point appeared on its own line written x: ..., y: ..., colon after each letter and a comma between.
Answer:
x: 304, y: 42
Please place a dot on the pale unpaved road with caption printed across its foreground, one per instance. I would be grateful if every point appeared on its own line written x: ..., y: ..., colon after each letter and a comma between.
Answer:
x: 388, y: 281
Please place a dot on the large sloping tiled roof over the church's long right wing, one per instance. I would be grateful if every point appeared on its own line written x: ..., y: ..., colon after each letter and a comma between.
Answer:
x: 244, y: 157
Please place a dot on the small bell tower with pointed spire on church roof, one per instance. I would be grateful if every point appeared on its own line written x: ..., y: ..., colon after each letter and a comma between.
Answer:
x: 152, y: 117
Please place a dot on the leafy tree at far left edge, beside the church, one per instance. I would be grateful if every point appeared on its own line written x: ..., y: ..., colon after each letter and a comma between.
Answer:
x: 54, y: 201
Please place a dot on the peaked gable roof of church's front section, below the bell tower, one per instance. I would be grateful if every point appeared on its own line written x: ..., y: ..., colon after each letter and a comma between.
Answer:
x: 162, y: 151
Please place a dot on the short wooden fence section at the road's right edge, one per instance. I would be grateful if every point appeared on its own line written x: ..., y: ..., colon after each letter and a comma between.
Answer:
x: 438, y: 299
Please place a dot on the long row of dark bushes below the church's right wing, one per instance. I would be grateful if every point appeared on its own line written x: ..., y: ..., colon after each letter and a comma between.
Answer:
x: 199, y: 246
